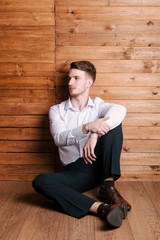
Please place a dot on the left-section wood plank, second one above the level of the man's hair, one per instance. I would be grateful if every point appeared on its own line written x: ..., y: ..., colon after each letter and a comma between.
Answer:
x: 31, y: 44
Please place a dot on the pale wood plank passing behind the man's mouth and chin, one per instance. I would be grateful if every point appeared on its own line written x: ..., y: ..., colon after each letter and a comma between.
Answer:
x: 128, y: 93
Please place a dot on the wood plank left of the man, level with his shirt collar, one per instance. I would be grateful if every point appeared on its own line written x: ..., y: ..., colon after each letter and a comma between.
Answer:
x: 25, y: 108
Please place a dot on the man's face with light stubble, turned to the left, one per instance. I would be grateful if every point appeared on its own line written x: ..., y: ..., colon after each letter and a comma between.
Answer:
x: 78, y: 82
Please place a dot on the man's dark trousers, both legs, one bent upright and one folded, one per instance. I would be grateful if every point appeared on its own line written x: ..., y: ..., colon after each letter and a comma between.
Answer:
x: 67, y: 186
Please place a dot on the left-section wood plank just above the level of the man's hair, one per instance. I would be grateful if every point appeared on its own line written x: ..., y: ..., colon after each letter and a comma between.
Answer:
x: 27, y: 56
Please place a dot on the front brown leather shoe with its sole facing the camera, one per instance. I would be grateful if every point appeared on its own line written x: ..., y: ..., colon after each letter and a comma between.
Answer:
x: 114, y: 214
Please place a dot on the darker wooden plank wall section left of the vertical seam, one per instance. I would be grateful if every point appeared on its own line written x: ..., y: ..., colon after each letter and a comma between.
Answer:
x: 27, y: 77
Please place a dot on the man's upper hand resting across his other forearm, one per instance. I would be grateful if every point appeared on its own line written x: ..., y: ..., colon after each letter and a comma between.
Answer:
x: 100, y: 126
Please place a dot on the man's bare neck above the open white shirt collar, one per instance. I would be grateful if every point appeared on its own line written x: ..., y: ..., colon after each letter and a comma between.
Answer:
x: 79, y: 102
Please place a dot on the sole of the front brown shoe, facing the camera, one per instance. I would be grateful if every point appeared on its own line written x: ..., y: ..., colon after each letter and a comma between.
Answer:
x: 115, y: 217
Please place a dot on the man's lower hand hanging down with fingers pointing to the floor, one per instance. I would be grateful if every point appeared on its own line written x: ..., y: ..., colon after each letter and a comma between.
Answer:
x: 88, y: 150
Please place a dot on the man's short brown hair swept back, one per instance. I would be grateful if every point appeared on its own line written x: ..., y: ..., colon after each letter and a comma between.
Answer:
x: 85, y: 66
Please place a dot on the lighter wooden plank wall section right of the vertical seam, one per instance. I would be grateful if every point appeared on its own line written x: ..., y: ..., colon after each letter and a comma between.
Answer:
x: 122, y: 39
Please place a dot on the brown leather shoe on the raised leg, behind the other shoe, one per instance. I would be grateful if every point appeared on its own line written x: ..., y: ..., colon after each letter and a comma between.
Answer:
x: 112, y: 196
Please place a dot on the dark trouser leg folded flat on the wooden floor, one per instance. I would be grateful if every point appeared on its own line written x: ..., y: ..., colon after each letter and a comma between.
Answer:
x: 66, y: 187
